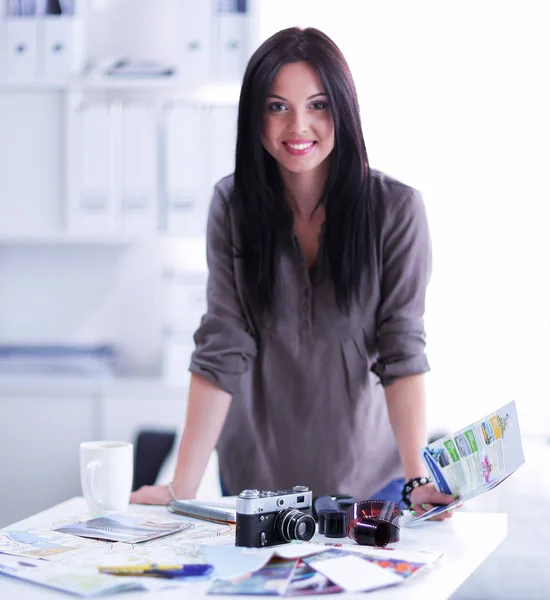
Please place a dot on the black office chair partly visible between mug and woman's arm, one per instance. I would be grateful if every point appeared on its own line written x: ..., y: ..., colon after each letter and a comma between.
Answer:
x: 150, y: 450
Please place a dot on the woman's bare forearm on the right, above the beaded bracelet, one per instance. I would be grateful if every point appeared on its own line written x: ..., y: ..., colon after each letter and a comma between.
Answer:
x: 407, y: 412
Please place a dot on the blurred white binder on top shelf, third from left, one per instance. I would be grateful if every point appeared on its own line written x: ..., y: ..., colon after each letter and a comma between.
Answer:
x: 194, y: 35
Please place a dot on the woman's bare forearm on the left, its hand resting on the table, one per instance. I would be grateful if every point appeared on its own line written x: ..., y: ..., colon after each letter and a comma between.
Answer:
x: 207, y: 410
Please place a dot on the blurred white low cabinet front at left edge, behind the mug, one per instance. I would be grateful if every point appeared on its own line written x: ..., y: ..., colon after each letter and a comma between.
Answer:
x: 39, y: 445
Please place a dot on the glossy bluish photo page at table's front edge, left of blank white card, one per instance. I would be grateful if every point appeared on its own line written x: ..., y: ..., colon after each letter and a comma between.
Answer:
x: 270, y: 580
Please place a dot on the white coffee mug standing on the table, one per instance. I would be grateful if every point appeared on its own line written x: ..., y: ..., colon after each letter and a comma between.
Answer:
x: 106, y: 475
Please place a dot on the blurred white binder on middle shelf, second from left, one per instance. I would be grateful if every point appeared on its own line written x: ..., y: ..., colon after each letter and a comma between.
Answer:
x: 139, y: 170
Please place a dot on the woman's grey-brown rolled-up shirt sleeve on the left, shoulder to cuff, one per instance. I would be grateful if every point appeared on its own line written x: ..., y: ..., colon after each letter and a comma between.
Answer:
x: 224, y: 348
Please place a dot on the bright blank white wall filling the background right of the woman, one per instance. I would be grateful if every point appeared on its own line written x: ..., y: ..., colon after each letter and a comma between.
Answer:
x: 454, y: 100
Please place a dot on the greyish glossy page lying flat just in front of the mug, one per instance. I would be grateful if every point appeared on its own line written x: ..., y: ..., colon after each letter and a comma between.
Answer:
x: 123, y: 528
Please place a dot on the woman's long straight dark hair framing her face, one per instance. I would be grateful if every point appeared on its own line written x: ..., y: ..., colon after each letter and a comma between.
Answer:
x: 263, y: 219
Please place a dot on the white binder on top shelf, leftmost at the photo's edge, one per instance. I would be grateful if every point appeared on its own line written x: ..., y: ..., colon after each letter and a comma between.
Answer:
x: 21, y: 48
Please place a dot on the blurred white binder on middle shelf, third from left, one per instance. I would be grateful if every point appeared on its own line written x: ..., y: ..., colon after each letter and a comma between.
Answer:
x: 184, y: 203
